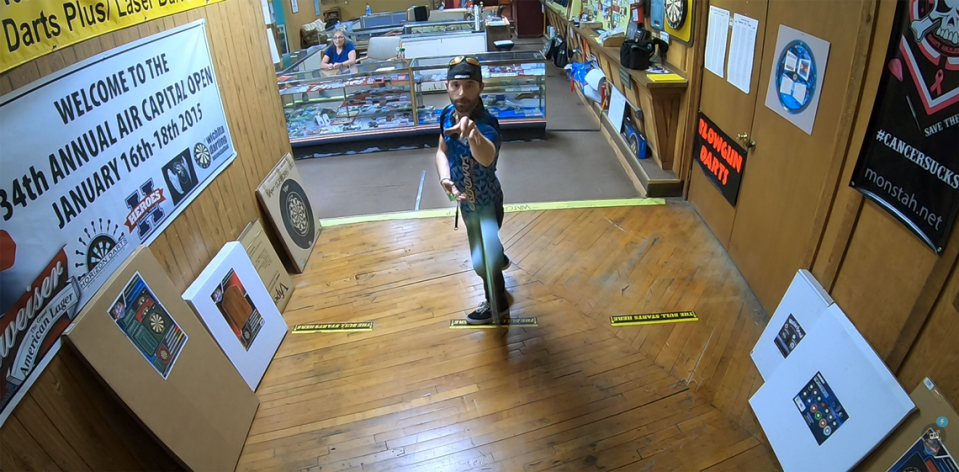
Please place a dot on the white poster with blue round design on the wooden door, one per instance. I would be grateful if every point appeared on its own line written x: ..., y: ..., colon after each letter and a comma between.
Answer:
x: 797, y: 74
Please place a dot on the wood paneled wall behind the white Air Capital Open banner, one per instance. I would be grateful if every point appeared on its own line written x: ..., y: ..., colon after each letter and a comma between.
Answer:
x: 68, y: 420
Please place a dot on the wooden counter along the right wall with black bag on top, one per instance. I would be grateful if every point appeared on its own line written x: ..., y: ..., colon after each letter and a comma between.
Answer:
x: 660, y: 101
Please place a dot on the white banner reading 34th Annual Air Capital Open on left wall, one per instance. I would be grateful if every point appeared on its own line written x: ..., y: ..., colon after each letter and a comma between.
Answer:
x: 97, y: 159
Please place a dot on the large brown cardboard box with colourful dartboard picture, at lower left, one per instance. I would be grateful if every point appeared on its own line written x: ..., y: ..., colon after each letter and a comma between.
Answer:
x: 152, y: 351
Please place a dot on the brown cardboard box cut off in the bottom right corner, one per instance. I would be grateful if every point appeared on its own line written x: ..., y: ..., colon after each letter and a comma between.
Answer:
x: 926, y: 442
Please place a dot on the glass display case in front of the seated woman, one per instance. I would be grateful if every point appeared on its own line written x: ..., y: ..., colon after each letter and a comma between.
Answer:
x: 355, y: 100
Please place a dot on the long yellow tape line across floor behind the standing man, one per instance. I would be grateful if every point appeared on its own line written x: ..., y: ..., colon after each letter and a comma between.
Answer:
x: 450, y: 212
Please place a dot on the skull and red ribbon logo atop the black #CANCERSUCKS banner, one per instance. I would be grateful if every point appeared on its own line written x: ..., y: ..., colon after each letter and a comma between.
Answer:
x: 933, y: 49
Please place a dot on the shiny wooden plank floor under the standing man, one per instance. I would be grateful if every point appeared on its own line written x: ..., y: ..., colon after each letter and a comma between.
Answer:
x: 571, y: 394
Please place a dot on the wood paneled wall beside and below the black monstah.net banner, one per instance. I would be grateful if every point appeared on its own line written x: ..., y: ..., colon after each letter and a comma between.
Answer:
x: 893, y: 287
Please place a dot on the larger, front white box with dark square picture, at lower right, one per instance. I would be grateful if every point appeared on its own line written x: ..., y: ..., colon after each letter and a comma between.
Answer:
x: 831, y: 401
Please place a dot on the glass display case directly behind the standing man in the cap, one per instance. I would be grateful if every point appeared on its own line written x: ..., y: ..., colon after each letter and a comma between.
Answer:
x: 515, y: 87
